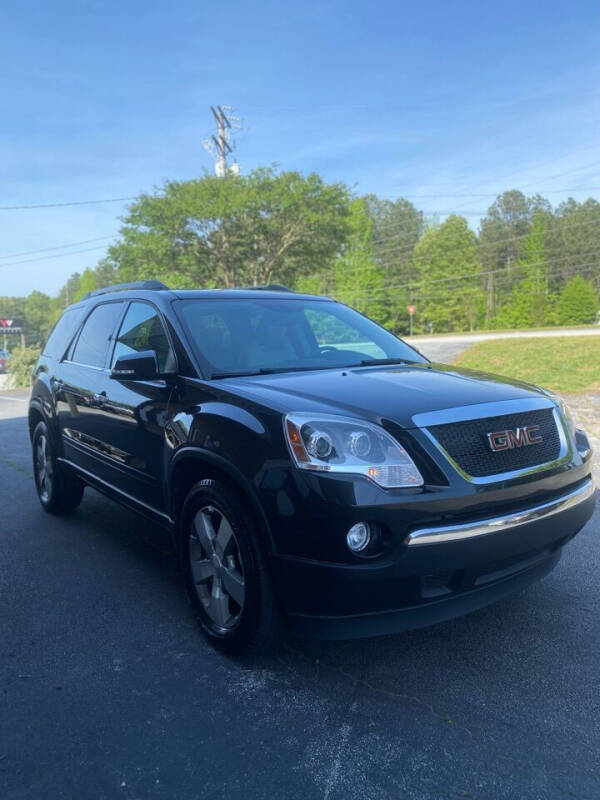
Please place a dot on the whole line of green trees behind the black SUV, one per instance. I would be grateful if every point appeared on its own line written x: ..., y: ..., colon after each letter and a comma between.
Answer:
x: 529, y: 264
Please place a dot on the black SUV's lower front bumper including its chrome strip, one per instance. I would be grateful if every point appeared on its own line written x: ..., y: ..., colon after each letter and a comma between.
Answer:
x: 438, y: 572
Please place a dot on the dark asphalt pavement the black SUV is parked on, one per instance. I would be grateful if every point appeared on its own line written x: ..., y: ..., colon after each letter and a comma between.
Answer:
x: 108, y: 691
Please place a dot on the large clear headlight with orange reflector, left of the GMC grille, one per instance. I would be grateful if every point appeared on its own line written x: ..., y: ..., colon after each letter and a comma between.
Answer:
x: 329, y: 443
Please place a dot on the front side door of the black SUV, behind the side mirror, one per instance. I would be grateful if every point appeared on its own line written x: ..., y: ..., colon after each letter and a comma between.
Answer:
x: 131, y: 420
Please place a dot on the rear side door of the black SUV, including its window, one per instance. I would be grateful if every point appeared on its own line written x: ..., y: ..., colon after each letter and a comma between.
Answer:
x: 79, y: 383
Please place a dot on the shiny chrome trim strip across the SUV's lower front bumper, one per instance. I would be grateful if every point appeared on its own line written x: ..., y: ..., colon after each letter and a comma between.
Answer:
x: 452, y: 533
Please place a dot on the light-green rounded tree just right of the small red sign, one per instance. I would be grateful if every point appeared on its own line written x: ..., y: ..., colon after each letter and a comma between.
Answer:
x: 449, y: 294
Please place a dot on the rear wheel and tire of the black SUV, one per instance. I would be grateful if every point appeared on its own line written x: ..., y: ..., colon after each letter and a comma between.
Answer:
x: 59, y: 491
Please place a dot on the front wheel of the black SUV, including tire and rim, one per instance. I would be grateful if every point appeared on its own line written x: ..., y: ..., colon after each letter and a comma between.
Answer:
x: 225, y: 572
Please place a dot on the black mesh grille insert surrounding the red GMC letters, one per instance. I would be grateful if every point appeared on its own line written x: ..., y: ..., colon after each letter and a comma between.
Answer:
x: 466, y: 443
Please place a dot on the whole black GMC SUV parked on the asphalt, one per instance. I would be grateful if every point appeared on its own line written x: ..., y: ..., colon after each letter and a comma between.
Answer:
x: 313, y: 470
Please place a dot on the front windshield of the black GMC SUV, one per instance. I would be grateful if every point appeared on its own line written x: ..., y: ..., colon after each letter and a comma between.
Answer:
x: 250, y: 336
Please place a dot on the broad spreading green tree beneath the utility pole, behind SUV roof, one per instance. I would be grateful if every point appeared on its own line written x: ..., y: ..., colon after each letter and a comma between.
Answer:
x: 232, y: 231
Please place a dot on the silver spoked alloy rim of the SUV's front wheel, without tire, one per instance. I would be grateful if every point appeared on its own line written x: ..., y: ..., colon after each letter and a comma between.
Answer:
x: 216, y: 567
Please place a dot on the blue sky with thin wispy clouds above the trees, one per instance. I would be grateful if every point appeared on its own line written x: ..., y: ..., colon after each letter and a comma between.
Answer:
x: 431, y: 102
